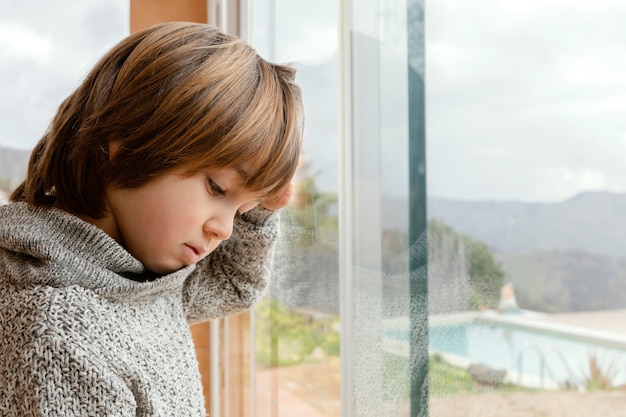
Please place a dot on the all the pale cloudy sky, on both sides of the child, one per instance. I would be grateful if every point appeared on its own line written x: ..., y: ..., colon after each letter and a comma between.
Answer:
x: 524, y: 100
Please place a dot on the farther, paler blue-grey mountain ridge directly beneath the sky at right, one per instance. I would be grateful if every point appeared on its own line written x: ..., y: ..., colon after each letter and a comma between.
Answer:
x: 591, y: 222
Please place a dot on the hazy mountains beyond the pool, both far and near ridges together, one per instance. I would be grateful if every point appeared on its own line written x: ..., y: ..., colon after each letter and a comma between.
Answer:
x: 560, y: 257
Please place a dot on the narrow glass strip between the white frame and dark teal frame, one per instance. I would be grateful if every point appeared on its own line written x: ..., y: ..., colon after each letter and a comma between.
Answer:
x: 380, y: 322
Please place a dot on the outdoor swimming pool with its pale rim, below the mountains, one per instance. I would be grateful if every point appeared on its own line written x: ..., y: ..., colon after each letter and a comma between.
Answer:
x: 532, y: 353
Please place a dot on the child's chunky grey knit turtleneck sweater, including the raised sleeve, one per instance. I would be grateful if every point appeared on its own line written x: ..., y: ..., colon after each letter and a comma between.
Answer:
x: 82, y: 333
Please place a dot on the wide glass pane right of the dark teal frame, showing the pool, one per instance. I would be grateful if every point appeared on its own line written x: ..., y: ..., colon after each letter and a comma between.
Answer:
x: 526, y: 144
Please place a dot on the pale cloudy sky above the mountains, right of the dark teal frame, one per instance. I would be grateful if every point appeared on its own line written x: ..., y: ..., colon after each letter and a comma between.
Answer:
x: 519, y: 91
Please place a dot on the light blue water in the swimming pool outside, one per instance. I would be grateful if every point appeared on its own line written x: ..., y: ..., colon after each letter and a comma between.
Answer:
x: 544, y: 356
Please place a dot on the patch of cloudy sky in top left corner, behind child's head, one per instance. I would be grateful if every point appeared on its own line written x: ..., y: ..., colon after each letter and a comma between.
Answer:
x: 45, y: 50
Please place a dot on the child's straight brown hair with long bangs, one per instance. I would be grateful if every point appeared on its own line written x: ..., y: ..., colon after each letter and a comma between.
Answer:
x: 175, y: 94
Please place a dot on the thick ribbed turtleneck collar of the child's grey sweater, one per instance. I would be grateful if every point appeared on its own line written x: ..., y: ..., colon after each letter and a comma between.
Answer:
x: 48, y: 246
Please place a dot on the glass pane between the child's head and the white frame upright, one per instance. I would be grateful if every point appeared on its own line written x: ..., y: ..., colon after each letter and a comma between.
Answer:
x: 297, y: 325
